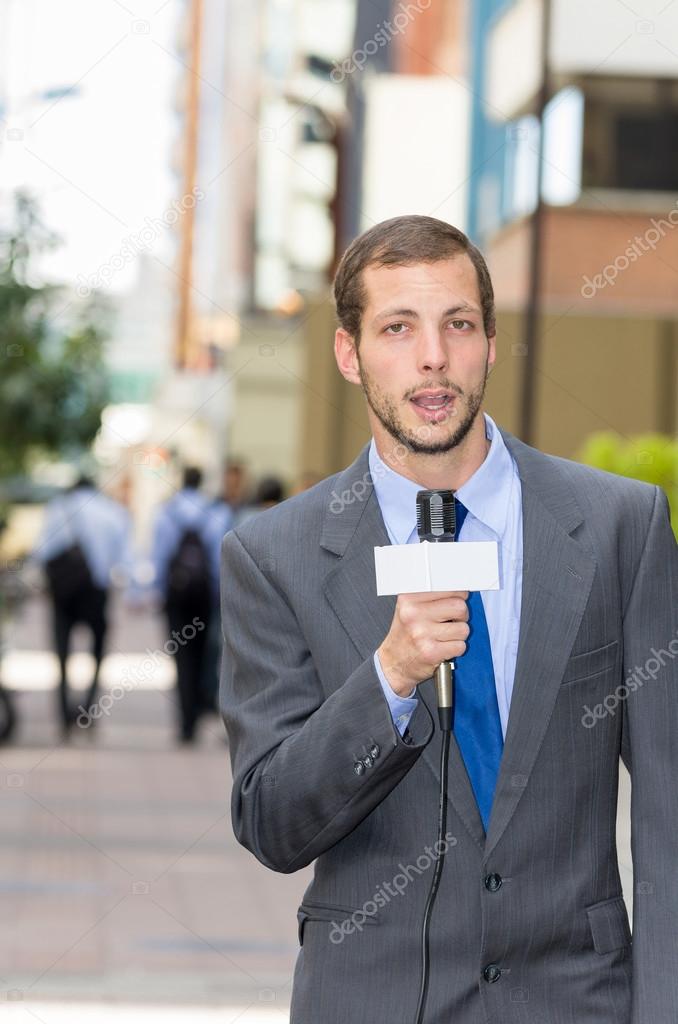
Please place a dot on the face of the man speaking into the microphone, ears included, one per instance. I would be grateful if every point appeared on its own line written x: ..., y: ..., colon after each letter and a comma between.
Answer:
x: 423, y: 358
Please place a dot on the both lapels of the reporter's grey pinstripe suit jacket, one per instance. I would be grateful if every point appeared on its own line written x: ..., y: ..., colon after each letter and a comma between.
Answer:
x: 558, y: 575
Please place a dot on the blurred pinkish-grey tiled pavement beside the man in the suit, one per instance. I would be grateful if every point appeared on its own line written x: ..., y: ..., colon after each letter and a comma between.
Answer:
x: 125, y: 895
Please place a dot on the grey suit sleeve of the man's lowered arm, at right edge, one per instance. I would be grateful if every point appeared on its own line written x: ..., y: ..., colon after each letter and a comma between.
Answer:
x: 651, y: 652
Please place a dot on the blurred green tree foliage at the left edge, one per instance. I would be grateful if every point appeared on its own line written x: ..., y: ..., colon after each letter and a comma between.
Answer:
x: 53, y: 379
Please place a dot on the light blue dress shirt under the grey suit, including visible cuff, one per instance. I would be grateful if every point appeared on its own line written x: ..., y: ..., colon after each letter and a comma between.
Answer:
x: 493, y: 497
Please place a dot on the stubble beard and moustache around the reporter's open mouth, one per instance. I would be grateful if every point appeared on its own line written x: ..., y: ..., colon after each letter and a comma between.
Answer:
x: 420, y: 441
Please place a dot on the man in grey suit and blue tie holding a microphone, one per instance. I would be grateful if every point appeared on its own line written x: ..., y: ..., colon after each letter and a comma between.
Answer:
x: 331, y: 709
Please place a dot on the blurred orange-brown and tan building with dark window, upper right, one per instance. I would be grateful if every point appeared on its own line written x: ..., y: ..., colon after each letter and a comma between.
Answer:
x: 608, y: 339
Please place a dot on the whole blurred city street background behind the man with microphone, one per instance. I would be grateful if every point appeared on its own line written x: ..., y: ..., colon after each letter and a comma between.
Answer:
x: 178, y: 183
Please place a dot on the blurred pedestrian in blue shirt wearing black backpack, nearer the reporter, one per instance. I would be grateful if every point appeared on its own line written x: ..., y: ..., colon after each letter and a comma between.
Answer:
x: 184, y: 579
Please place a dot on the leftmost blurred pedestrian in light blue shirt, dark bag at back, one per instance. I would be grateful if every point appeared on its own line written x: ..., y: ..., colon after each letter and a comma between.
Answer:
x: 86, y: 537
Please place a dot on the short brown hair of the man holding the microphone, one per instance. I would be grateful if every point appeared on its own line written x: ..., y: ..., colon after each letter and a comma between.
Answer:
x: 400, y: 242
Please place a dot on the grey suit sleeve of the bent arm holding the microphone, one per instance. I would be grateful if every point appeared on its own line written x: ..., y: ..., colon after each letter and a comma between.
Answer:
x: 298, y: 789
